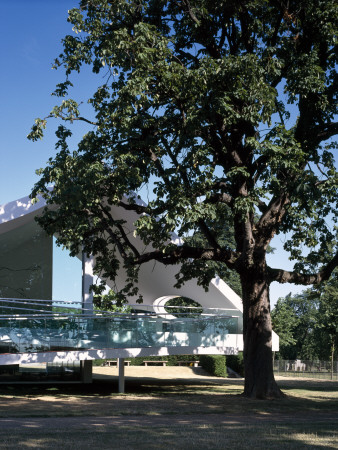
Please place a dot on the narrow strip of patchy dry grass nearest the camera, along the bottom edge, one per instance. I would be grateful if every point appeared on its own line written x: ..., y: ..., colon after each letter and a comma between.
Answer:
x: 177, y: 437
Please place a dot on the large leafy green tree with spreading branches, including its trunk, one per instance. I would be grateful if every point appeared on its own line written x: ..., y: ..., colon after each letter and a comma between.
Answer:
x: 205, y: 104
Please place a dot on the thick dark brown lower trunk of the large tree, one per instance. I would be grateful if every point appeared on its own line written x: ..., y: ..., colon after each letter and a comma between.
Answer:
x: 257, y: 333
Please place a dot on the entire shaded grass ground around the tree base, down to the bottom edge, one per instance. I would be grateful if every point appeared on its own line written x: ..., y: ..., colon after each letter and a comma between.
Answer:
x: 170, y: 414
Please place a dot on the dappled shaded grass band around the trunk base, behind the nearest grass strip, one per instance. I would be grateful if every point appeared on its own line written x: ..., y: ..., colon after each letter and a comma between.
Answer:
x: 163, y: 397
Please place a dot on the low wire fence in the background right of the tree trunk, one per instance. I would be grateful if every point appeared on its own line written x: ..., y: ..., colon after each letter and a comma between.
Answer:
x: 325, y: 370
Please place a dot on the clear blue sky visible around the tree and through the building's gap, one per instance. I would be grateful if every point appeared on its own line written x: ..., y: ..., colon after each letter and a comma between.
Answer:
x: 32, y: 32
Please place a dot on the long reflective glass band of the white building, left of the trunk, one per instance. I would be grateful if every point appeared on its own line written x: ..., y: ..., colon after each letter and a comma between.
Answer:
x: 54, y: 330
